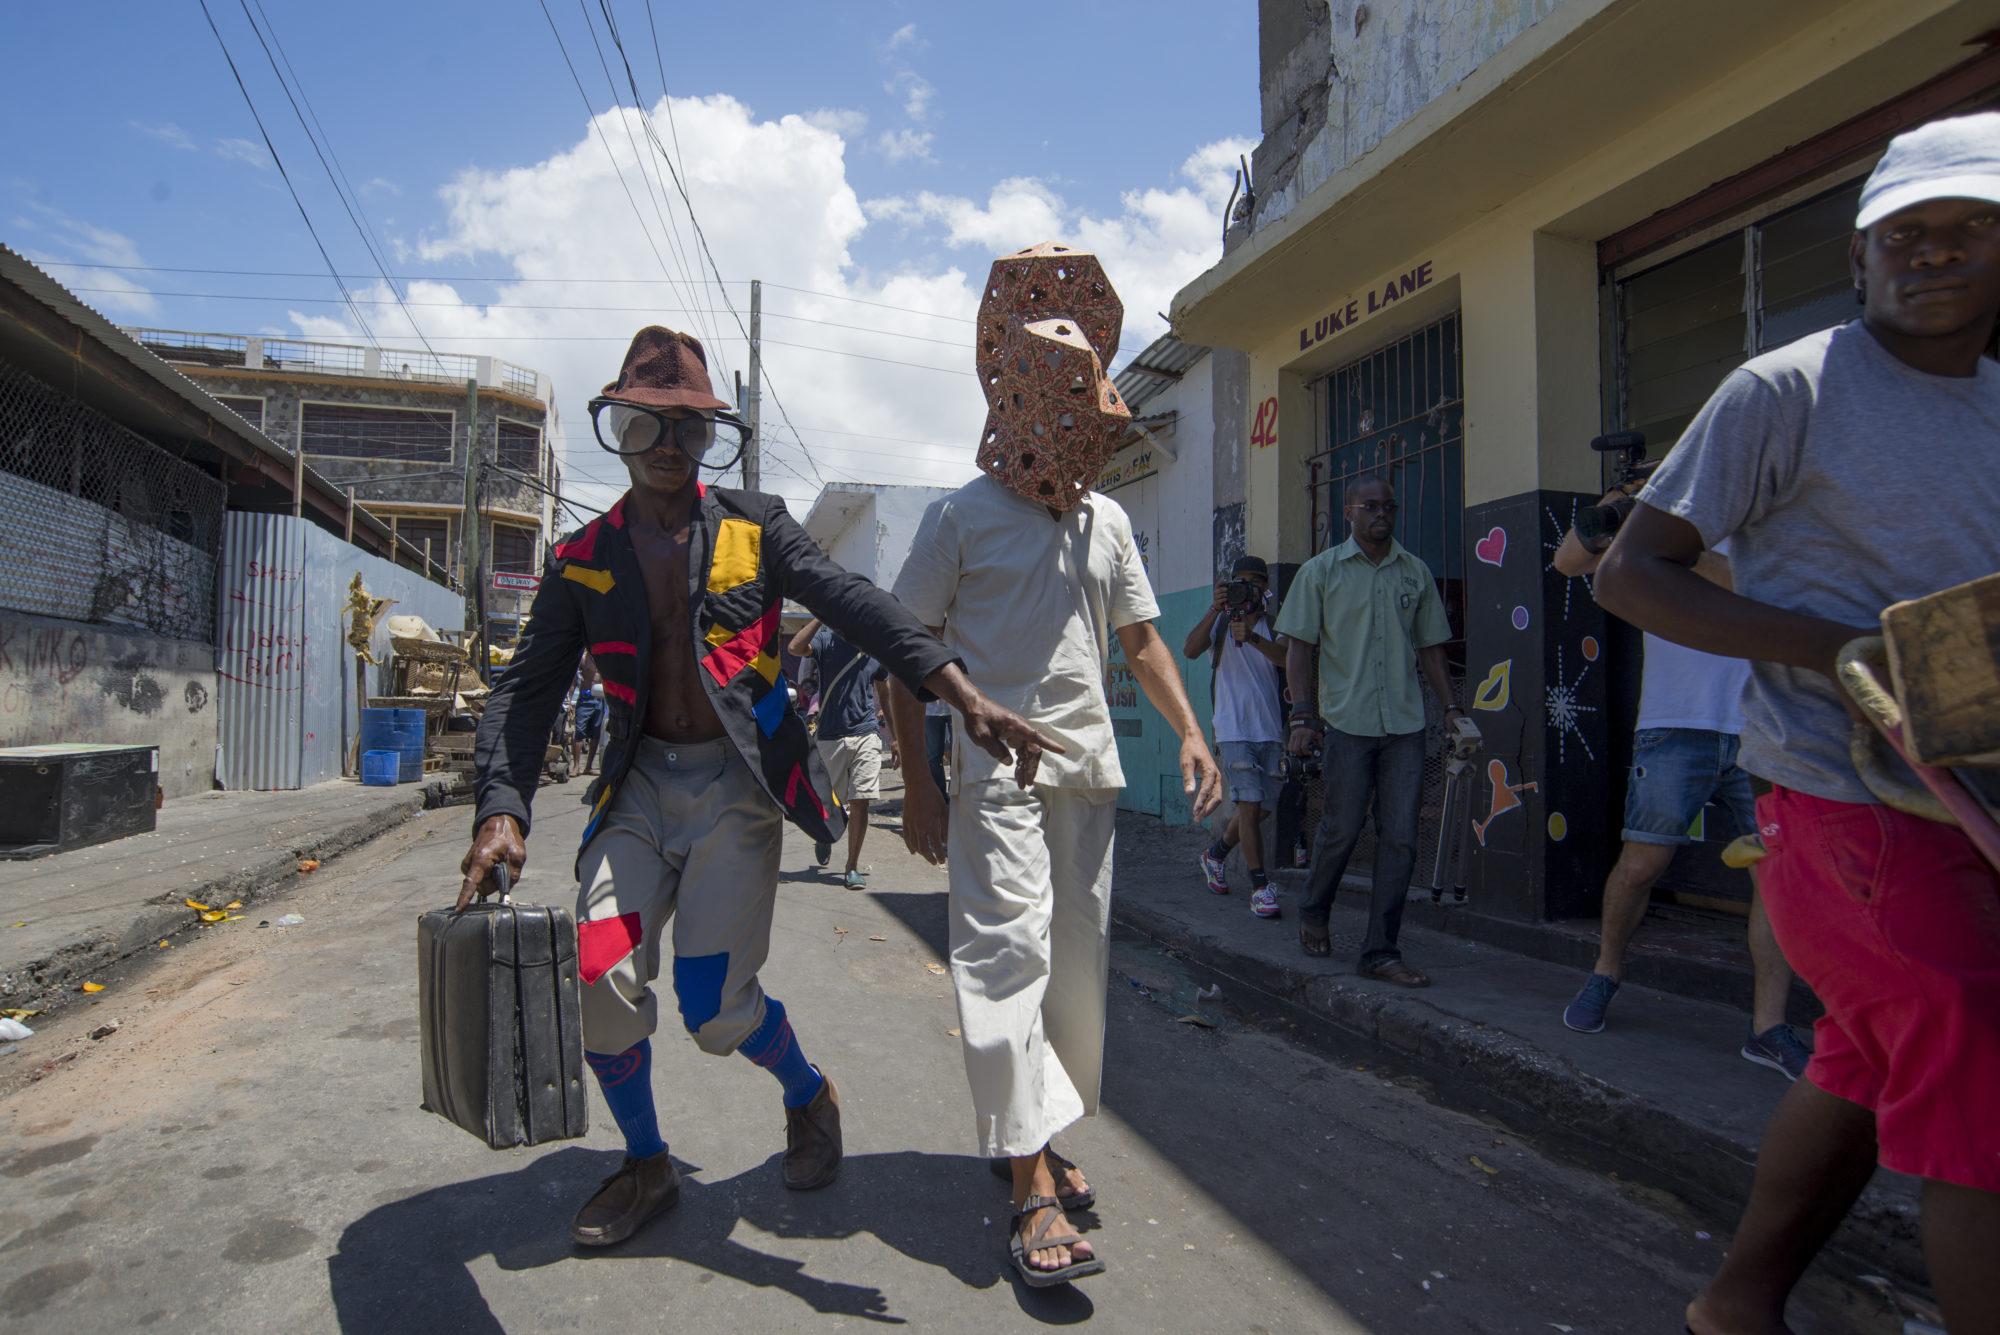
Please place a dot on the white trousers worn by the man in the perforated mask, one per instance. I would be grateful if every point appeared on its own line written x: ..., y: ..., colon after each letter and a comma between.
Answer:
x: 1031, y: 880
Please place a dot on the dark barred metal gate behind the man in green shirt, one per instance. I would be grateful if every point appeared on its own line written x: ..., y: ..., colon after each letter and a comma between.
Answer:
x: 1401, y: 413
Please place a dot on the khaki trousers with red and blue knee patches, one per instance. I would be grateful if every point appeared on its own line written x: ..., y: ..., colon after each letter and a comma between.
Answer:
x: 691, y: 840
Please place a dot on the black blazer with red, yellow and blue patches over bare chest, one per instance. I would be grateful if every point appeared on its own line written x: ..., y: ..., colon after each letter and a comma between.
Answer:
x: 747, y: 557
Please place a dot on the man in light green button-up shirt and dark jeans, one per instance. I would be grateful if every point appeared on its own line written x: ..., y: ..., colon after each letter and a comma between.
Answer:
x: 1377, y: 619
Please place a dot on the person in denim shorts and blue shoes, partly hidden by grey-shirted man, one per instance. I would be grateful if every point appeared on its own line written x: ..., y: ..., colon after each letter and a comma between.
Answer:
x: 1683, y: 758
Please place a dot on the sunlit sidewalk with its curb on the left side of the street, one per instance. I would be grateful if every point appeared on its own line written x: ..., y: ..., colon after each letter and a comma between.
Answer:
x: 71, y: 914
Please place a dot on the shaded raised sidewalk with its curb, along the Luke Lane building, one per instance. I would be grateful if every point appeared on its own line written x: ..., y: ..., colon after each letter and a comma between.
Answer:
x: 1661, y: 1096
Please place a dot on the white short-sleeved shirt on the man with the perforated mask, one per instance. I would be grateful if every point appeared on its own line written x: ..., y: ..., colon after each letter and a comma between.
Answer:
x: 1029, y: 603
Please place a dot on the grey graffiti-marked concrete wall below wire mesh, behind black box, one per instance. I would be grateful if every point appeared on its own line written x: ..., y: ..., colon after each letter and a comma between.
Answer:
x: 75, y: 682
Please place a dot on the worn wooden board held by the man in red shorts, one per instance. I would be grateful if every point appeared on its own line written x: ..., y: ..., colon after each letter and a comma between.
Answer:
x: 1945, y: 663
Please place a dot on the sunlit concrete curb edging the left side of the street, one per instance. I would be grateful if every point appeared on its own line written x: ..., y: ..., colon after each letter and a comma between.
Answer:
x: 49, y: 982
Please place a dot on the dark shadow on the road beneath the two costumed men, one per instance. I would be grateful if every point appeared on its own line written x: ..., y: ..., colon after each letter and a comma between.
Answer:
x: 407, y: 1266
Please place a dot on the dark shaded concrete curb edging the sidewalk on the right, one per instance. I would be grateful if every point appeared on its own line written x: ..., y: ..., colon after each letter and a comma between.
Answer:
x: 1539, y: 1092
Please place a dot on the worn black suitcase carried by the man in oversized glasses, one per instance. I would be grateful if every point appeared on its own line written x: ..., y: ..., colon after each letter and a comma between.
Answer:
x: 499, y: 1016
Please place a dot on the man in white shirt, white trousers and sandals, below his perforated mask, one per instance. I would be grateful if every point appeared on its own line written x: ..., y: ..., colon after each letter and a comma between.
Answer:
x: 1031, y: 599
